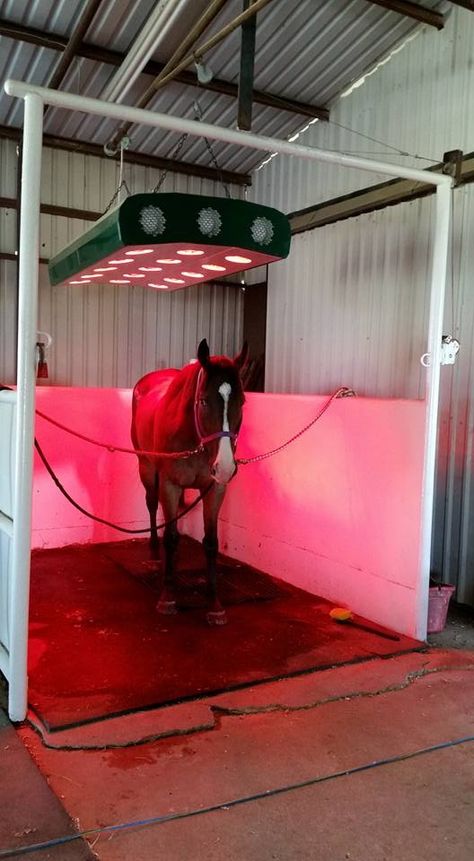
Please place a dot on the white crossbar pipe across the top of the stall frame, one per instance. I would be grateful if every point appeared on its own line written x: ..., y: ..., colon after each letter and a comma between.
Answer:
x: 246, y: 139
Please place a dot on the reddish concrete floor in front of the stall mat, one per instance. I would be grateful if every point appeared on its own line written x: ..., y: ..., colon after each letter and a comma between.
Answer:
x: 230, y: 769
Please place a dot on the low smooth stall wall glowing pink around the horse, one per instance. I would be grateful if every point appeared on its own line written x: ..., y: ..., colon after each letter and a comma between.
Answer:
x: 336, y: 513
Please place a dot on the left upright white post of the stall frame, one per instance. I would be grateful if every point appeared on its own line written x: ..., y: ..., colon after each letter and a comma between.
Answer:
x: 26, y: 373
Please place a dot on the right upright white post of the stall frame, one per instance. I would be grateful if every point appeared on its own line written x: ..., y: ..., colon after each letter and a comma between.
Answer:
x: 435, y: 332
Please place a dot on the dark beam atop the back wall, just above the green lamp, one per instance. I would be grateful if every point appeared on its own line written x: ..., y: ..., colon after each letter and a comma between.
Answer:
x: 183, y: 167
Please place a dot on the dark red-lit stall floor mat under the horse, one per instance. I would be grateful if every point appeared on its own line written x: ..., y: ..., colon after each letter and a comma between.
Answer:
x: 98, y: 647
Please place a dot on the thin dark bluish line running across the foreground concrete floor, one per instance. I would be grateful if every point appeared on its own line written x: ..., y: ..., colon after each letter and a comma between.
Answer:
x: 234, y: 802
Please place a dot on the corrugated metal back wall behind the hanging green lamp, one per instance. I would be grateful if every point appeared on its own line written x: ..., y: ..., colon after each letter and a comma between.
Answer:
x: 107, y: 336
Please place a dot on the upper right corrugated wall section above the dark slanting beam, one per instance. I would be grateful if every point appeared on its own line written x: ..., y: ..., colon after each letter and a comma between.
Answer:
x: 419, y: 102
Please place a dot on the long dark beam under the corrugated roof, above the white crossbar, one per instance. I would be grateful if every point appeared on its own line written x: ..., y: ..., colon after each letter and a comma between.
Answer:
x: 152, y: 68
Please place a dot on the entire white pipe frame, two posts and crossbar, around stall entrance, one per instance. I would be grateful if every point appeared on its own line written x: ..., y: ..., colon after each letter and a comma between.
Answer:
x: 29, y: 255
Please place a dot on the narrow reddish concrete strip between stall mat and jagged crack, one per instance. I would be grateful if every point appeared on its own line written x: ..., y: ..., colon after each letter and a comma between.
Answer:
x: 303, y: 692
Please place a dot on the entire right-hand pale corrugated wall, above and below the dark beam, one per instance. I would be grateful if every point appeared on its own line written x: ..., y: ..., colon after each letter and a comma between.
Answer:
x: 350, y: 305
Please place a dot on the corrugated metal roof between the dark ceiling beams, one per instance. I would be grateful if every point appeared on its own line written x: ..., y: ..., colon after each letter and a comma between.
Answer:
x: 309, y: 51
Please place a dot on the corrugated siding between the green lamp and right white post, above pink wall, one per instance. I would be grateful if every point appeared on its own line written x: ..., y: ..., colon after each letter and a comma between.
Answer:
x: 345, y: 309
